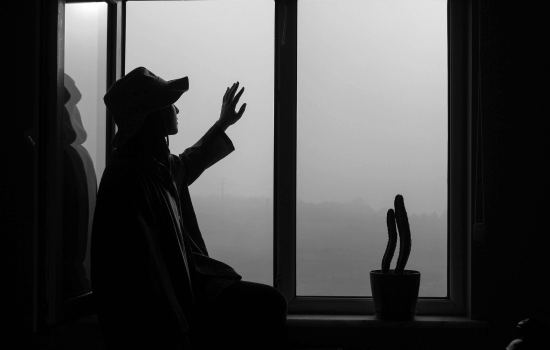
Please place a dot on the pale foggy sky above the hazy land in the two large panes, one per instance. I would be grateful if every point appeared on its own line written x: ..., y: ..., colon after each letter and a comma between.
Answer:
x: 372, y: 93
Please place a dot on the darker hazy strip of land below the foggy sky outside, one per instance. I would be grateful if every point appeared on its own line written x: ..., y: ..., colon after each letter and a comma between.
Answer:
x: 238, y: 231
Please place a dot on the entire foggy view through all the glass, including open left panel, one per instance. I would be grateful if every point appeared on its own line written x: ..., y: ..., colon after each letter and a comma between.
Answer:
x: 372, y: 122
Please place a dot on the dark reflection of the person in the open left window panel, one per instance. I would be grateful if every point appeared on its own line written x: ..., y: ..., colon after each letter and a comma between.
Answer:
x: 79, y: 196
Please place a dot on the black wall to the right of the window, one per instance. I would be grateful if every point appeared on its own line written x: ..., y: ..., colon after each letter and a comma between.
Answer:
x: 515, y: 98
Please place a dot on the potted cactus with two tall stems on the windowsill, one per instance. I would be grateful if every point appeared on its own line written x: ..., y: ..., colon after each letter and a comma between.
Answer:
x: 395, y: 291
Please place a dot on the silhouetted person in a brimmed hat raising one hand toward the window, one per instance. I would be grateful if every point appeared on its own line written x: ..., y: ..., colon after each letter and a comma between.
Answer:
x: 154, y: 282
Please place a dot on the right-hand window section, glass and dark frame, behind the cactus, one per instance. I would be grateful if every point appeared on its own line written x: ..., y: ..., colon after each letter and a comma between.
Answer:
x: 371, y: 102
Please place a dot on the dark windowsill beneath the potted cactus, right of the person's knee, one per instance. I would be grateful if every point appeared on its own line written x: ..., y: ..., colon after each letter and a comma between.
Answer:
x: 365, y: 331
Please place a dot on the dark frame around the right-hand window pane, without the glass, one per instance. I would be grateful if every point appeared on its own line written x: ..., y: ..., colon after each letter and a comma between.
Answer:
x: 459, y: 30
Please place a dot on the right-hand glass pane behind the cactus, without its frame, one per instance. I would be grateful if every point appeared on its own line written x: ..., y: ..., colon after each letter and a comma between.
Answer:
x: 372, y: 123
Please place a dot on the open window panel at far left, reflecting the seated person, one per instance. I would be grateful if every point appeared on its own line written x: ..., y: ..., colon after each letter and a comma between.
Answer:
x: 71, y: 154
